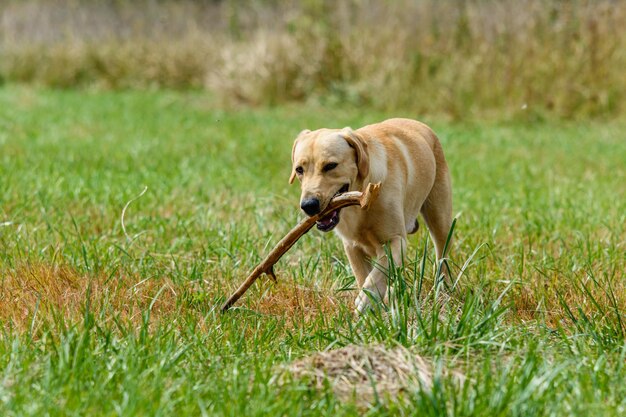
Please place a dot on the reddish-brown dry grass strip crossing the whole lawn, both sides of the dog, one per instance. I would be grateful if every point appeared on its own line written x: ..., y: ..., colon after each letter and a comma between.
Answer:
x: 33, y: 295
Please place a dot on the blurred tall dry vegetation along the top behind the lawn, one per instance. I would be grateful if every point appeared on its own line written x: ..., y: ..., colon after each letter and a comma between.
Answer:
x: 475, y: 58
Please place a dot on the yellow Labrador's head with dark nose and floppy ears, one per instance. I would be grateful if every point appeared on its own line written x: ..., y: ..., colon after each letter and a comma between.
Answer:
x: 328, y: 162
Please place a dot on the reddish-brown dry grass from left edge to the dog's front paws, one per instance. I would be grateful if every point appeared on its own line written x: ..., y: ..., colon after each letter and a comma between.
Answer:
x: 33, y: 295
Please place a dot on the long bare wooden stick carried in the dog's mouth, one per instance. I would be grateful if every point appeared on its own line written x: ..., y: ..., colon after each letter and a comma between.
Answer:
x: 352, y: 198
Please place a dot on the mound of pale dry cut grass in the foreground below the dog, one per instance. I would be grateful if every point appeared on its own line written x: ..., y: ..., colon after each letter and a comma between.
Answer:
x: 364, y: 373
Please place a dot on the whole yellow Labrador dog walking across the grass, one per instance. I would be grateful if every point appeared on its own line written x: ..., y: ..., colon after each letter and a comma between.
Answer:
x: 406, y: 157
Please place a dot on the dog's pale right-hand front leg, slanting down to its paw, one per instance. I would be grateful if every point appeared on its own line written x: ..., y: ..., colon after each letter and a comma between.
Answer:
x: 375, y: 285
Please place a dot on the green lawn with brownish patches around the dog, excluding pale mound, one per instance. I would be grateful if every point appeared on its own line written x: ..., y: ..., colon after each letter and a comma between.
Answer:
x: 109, y: 295
